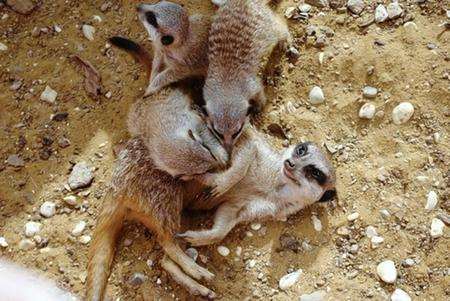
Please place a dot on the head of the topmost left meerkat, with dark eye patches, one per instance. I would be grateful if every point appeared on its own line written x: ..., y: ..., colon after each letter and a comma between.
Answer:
x: 166, y: 22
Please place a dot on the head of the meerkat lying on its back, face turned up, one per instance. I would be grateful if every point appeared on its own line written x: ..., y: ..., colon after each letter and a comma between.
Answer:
x: 309, y: 173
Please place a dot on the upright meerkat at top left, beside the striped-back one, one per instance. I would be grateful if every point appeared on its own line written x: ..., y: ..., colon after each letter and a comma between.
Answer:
x: 180, y: 43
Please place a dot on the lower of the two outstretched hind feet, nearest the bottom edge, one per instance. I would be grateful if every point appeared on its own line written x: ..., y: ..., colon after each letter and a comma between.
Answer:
x: 181, y: 278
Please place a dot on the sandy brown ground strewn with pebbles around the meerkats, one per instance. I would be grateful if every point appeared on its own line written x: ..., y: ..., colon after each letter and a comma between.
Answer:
x: 379, y: 165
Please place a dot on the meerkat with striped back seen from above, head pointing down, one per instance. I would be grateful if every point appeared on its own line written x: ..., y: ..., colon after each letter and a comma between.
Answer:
x: 242, y: 33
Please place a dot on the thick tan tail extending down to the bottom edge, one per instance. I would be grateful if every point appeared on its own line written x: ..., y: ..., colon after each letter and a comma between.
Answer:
x: 102, y: 249
